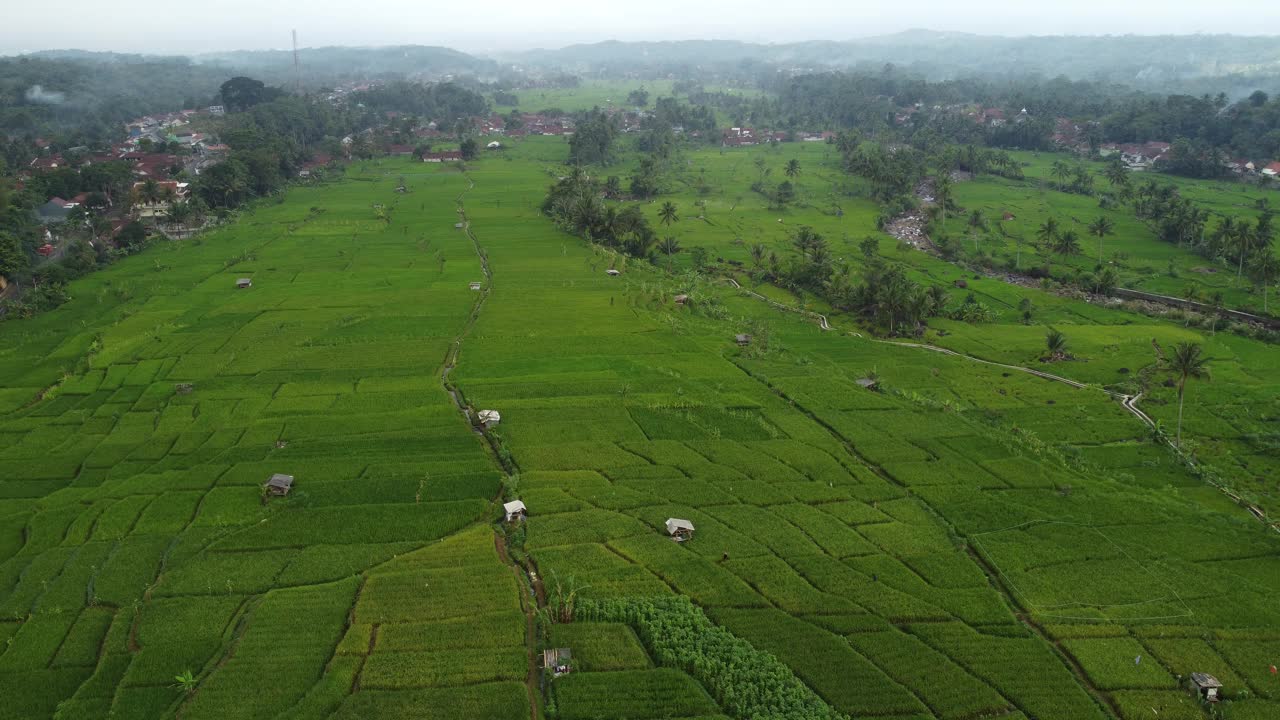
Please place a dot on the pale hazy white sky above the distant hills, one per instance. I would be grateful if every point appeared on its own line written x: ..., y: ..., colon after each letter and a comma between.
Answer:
x: 519, y: 25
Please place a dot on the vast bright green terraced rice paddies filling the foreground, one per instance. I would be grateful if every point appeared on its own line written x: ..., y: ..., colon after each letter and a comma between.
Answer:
x: 904, y: 554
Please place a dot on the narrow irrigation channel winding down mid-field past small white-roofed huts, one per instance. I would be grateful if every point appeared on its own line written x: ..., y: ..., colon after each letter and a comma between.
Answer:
x: 531, y: 598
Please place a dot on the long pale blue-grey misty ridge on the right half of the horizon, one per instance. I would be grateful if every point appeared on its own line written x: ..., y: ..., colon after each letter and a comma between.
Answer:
x: 1144, y: 62
